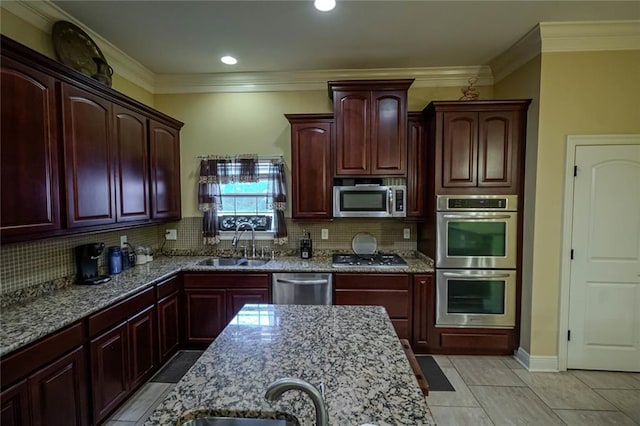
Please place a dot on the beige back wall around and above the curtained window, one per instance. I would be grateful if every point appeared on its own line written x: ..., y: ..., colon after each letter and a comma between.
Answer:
x: 237, y: 123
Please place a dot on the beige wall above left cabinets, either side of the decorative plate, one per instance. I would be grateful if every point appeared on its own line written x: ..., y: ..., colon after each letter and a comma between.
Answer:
x: 40, y: 41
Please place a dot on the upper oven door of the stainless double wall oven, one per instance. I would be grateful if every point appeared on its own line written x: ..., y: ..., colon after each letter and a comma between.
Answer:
x: 476, y: 240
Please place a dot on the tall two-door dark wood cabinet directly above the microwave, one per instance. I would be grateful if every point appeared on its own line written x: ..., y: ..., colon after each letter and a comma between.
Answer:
x: 371, y: 126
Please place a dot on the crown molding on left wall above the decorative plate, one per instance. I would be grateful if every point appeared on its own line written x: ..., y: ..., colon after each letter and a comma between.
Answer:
x: 43, y: 14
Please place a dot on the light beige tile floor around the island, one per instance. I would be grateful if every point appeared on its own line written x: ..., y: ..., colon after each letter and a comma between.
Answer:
x: 491, y: 391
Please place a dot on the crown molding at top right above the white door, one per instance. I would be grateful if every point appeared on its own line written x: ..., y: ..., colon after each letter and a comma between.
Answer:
x: 590, y: 36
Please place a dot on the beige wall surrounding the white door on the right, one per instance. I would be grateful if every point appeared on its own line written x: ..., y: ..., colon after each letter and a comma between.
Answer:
x: 580, y: 93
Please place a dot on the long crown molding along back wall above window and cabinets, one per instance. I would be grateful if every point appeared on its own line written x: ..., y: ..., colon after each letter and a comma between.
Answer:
x: 315, y: 80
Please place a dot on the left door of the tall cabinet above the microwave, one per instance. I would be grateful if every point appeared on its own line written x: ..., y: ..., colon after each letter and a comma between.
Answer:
x: 352, y: 109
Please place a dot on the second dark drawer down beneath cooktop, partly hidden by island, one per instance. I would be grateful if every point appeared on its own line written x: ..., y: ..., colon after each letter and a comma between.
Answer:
x: 395, y: 301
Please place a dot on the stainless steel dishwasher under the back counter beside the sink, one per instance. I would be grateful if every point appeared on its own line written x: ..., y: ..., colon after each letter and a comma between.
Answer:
x: 298, y: 288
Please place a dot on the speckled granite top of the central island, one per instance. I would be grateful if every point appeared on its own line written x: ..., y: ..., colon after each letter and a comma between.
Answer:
x: 353, y: 350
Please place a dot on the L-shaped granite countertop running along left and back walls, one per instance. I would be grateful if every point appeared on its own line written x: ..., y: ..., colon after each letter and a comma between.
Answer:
x: 26, y: 321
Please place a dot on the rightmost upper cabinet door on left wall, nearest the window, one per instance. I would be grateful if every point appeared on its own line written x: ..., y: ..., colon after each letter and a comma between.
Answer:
x: 164, y: 148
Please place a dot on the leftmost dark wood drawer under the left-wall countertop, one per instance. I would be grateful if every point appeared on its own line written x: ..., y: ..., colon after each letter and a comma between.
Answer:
x: 20, y: 364
